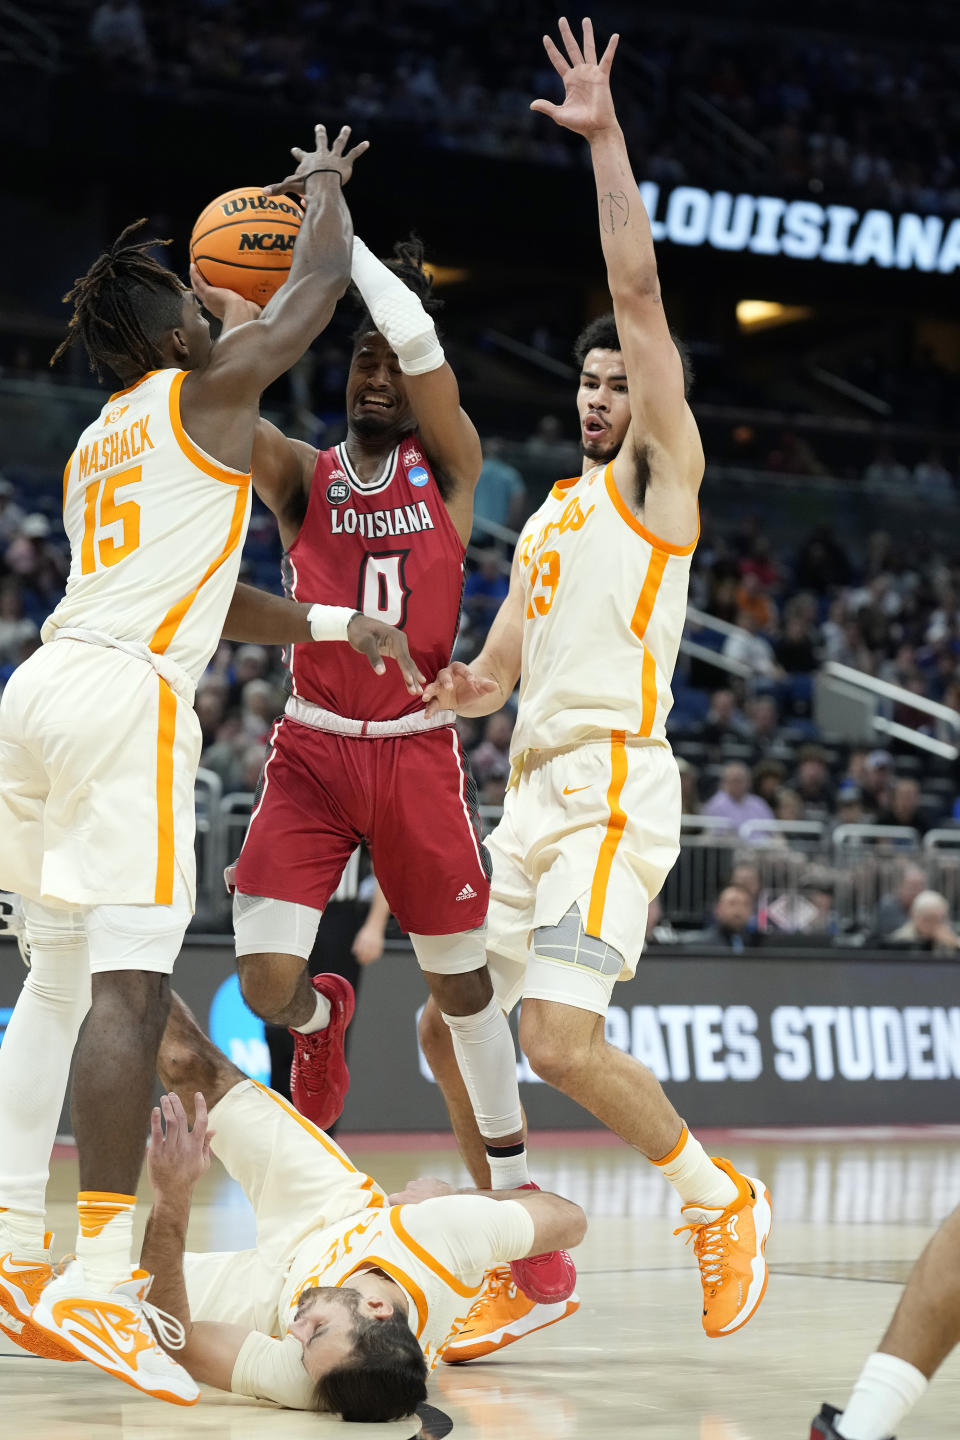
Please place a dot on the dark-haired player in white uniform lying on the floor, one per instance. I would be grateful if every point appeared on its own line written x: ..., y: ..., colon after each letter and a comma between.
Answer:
x: 349, y: 1298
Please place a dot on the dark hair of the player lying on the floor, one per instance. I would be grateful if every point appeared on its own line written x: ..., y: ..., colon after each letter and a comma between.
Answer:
x: 385, y: 1377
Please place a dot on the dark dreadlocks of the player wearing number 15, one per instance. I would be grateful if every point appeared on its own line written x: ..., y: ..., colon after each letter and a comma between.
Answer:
x: 123, y: 307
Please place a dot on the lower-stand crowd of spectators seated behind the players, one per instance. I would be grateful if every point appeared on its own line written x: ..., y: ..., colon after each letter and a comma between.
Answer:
x: 749, y: 752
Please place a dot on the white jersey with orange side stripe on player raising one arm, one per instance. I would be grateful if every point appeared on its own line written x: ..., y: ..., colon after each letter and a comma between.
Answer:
x: 604, y: 613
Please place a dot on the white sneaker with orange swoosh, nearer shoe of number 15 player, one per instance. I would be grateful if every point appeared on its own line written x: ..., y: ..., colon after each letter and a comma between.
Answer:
x: 112, y: 1330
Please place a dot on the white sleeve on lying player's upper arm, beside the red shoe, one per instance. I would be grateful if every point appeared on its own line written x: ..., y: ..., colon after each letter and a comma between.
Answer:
x: 468, y: 1235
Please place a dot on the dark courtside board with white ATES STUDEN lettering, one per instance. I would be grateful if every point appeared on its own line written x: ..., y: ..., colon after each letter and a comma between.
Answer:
x: 739, y: 1040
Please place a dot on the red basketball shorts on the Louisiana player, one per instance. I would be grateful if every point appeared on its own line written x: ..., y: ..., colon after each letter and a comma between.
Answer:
x: 411, y: 798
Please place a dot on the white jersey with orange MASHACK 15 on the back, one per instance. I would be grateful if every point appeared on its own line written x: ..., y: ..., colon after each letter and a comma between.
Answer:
x: 156, y: 529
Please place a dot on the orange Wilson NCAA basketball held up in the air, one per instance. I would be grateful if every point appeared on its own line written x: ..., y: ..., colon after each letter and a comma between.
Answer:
x: 244, y: 241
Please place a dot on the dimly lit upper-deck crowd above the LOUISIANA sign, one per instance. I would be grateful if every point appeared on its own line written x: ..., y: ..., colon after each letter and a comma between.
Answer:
x: 871, y: 120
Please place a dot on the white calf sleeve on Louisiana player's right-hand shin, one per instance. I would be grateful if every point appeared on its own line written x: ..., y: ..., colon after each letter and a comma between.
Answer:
x: 484, y: 1050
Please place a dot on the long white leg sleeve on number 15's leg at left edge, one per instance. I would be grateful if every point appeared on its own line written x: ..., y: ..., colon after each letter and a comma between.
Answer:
x: 35, y: 1059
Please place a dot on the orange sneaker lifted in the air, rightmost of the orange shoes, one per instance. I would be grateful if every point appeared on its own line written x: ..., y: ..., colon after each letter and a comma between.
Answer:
x: 729, y: 1246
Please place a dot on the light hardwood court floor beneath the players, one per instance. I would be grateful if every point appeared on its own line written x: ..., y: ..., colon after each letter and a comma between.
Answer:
x: 851, y: 1213
